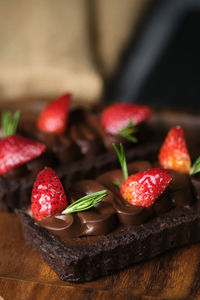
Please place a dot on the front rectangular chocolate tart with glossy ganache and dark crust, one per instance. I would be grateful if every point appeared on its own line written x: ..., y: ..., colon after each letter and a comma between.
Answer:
x: 134, y: 234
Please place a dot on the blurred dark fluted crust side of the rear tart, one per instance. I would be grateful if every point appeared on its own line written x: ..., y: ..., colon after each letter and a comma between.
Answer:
x: 16, y: 193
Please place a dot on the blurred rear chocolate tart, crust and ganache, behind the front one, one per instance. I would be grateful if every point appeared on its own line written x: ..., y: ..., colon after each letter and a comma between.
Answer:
x: 83, y: 151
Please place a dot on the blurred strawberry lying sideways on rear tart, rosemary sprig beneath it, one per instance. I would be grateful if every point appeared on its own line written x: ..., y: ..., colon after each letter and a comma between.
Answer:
x: 117, y: 116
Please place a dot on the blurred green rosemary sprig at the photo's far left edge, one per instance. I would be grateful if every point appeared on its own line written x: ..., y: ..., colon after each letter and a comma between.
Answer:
x: 10, y: 122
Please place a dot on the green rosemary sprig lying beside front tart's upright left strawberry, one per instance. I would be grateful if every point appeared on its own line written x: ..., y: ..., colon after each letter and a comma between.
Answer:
x: 86, y: 202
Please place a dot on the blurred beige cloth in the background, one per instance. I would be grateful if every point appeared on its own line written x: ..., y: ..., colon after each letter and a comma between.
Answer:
x: 48, y: 47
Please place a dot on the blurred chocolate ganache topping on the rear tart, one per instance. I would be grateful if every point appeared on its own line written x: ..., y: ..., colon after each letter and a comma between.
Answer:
x: 84, y: 136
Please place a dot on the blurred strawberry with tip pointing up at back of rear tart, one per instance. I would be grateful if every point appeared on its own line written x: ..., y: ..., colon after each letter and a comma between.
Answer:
x: 53, y: 118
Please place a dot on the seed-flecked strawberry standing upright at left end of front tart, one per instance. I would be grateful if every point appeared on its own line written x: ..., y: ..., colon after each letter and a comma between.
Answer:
x: 48, y: 196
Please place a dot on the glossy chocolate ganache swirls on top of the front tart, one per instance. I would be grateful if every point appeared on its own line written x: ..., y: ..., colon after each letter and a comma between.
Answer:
x: 113, y: 211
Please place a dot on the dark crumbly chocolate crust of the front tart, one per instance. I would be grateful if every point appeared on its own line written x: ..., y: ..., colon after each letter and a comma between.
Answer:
x: 115, y: 252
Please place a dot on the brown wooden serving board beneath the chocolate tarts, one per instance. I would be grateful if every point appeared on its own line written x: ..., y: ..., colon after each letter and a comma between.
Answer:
x: 174, y: 275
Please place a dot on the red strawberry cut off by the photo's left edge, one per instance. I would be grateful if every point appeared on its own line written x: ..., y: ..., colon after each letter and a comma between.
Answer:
x: 16, y: 150
